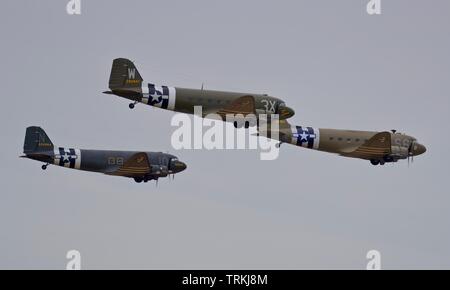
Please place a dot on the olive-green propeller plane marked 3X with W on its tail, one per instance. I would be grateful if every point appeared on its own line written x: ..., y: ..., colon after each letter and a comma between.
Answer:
x: 125, y: 81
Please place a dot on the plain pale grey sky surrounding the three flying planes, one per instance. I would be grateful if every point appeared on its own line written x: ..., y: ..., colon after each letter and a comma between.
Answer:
x: 336, y: 65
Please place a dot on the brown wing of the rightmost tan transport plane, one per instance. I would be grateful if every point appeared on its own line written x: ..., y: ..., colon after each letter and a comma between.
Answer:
x: 376, y: 147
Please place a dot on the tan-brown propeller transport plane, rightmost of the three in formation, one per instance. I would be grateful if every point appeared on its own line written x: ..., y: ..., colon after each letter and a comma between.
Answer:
x: 378, y: 147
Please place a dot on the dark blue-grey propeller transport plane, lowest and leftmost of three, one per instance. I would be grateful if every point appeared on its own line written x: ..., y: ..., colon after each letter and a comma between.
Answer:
x: 142, y: 166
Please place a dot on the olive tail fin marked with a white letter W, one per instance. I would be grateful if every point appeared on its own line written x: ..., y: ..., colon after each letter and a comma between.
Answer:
x: 124, y: 75
